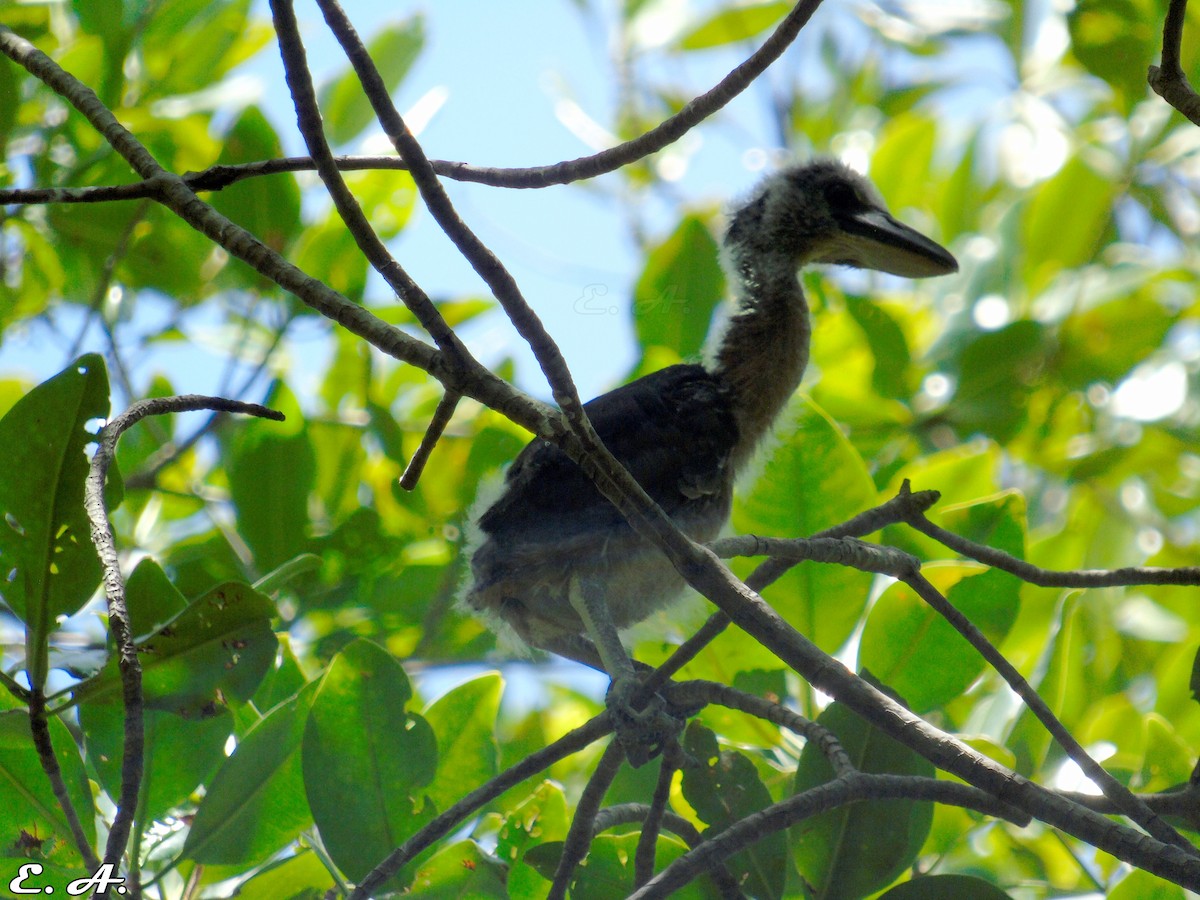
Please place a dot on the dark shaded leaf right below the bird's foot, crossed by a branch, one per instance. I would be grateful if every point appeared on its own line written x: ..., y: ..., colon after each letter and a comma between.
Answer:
x: 725, y: 788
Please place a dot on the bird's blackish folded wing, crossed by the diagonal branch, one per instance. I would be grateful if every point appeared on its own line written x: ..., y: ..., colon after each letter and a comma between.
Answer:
x: 674, y: 430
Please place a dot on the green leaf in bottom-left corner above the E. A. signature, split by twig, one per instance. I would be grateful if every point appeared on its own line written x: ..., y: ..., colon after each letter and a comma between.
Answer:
x: 26, y: 796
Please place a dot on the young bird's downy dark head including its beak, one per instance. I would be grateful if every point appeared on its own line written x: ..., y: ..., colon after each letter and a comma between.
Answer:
x: 824, y: 212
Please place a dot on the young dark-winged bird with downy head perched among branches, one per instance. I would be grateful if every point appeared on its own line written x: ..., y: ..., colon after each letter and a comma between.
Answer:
x: 551, y: 560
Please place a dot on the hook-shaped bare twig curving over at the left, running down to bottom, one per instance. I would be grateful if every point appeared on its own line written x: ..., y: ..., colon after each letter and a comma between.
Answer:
x: 115, y: 593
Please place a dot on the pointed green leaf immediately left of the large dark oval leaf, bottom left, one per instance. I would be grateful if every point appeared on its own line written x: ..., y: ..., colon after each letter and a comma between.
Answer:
x: 256, y: 805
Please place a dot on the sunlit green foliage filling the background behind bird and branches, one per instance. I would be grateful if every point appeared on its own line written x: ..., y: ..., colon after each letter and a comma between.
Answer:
x: 1049, y: 392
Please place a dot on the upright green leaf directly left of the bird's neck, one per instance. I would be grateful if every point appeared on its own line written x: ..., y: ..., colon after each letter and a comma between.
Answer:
x: 679, y: 290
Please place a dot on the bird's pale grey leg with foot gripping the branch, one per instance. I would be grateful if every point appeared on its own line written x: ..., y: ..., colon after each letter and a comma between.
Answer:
x: 641, y: 731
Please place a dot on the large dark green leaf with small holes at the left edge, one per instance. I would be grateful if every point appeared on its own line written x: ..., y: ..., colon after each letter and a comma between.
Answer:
x: 49, y: 565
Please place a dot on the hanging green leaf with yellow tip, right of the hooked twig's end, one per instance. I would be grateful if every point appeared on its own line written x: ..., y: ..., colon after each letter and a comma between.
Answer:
x: 272, y: 472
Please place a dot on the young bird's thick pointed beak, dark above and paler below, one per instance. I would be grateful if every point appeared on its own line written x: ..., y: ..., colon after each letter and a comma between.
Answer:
x: 873, y: 239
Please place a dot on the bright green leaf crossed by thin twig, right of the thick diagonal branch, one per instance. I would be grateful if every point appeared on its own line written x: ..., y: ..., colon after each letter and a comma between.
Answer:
x: 917, y: 653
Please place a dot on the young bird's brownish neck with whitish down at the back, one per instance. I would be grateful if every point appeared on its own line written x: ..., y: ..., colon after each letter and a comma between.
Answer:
x: 765, y: 350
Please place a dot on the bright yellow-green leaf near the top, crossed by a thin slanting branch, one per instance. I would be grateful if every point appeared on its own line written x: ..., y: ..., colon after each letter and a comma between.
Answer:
x: 344, y: 105
